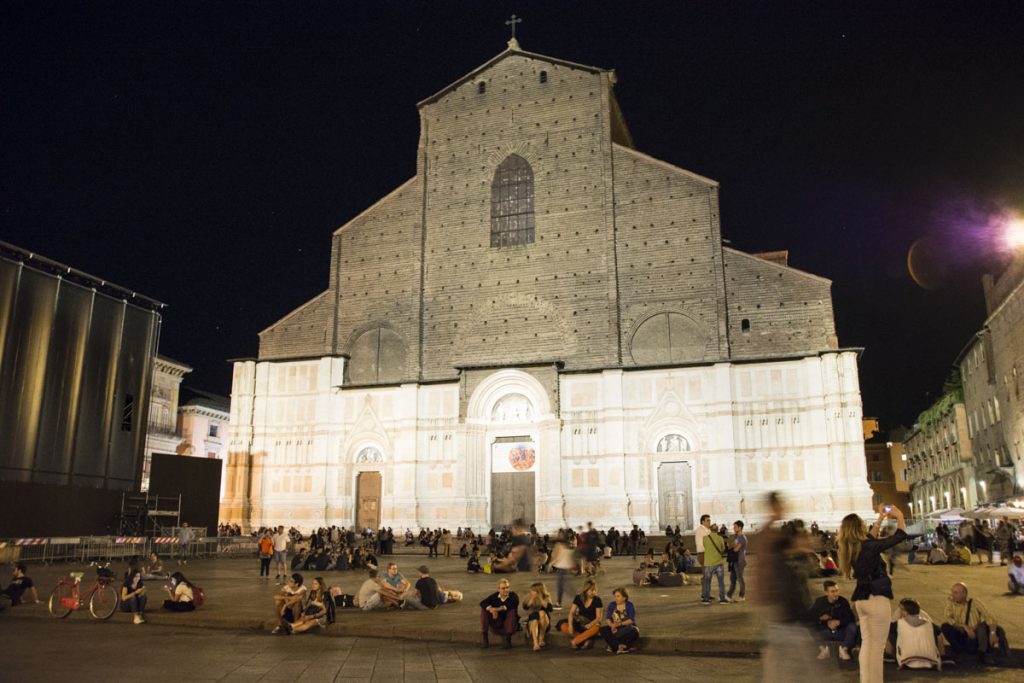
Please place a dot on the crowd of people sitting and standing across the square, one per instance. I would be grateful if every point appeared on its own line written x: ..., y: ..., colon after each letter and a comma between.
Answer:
x: 864, y: 626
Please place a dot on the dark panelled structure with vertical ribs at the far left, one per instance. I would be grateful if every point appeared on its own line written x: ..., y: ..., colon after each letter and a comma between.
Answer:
x: 76, y: 360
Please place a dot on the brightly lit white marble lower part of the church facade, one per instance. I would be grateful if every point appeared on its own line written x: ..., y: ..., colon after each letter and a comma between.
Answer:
x: 645, y: 447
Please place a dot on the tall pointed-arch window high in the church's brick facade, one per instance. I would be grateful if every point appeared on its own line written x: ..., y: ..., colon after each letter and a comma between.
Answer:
x: 513, y: 203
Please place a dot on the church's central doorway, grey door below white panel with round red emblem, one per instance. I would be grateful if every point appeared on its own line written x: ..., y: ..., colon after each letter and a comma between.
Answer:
x: 514, y: 475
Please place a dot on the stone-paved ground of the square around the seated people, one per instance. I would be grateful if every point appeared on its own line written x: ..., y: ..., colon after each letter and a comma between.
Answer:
x: 443, y: 644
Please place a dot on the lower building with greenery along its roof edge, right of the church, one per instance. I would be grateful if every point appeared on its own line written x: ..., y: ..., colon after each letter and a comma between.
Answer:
x: 941, y: 460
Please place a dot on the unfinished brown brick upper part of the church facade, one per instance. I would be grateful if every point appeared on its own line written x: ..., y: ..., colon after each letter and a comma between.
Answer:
x: 627, y: 268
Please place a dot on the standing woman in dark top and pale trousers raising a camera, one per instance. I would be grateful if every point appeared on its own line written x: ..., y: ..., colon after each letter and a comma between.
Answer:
x: 861, y: 550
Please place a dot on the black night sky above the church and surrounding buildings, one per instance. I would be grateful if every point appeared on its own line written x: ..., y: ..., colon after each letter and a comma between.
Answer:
x: 203, y: 153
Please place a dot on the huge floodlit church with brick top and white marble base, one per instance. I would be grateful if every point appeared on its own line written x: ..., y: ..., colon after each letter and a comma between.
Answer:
x: 544, y: 323
